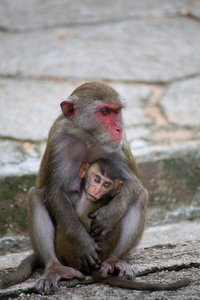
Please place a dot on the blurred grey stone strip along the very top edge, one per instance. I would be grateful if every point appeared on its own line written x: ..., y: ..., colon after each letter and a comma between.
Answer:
x: 42, y: 14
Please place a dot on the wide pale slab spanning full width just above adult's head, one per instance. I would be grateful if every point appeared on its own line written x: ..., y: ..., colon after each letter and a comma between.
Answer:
x: 135, y: 50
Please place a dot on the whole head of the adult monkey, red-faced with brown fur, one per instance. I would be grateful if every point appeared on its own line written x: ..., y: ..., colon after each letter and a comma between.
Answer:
x: 94, y: 111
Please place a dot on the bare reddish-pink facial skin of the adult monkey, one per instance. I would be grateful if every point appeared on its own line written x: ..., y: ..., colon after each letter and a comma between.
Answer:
x: 109, y: 115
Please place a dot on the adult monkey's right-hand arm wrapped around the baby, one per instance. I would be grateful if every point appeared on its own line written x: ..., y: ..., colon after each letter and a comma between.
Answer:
x: 106, y: 218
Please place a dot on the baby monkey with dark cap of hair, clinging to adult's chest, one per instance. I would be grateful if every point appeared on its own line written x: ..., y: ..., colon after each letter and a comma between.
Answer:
x: 100, y: 183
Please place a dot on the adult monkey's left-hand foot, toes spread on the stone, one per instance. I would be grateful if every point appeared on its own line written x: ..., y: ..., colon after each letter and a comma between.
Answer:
x: 49, y: 281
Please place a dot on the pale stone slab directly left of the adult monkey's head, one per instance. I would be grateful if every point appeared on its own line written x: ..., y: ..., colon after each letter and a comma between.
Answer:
x: 30, y: 107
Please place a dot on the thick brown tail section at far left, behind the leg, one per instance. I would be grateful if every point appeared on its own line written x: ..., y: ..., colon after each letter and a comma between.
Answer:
x: 24, y: 270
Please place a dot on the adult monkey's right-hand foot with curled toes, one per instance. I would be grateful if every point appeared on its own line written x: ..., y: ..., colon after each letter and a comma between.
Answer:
x: 110, y: 265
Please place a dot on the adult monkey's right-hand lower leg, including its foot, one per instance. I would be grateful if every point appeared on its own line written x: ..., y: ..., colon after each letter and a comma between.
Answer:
x: 132, y: 229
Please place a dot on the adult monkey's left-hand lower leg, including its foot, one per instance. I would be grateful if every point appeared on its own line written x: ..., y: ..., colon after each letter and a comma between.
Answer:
x: 42, y: 235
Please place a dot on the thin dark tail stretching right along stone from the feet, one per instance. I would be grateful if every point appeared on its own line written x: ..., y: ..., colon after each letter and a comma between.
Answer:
x: 138, y: 285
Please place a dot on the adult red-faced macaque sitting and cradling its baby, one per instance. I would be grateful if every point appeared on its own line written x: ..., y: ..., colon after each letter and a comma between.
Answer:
x: 89, y: 128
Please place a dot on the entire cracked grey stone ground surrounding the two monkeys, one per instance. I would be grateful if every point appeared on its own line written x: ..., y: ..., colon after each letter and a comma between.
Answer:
x: 147, y: 50
